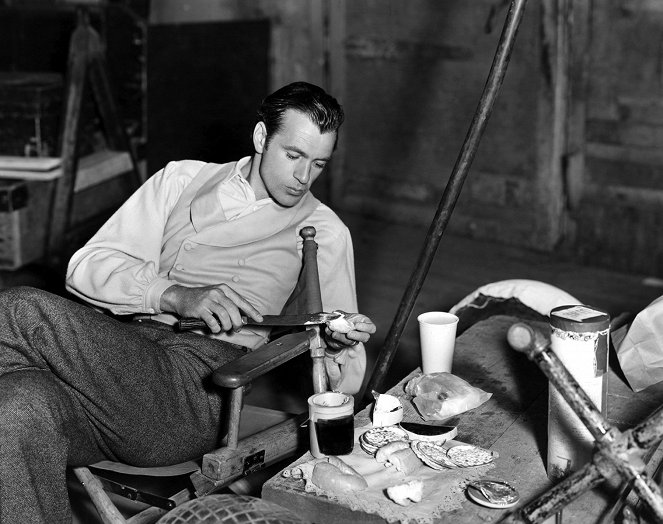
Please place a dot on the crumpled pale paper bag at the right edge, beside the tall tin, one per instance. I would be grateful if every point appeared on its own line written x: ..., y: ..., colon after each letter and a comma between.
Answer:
x: 640, y: 353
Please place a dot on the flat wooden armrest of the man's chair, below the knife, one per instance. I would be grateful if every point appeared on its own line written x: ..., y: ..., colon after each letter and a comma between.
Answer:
x: 249, y: 367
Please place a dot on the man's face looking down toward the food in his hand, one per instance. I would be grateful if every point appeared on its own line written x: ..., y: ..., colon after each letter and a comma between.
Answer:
x: 294, y: 158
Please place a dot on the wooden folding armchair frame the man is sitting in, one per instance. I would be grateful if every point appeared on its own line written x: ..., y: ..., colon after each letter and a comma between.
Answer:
x: 240, y: 454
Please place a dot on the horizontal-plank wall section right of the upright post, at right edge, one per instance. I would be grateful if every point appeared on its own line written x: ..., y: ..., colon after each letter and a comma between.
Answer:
x: 619, y: 213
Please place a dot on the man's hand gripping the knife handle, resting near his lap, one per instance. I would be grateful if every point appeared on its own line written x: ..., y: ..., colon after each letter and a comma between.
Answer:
x: 220, y: 306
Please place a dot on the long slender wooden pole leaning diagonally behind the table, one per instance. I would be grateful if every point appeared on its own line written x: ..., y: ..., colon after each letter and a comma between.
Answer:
x: 451, y: 194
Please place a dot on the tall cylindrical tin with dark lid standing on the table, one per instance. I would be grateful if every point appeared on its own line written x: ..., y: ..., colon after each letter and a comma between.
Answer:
x: 579, y: 338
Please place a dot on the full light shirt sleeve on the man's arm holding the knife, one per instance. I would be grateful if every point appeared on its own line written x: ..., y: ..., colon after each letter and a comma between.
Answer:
x: 118, y: 268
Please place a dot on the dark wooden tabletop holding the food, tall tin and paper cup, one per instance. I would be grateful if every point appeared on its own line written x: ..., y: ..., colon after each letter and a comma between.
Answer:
x: 513, y: 423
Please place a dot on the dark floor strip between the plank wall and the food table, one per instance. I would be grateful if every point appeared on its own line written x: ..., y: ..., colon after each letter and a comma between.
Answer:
x: 386, y: 255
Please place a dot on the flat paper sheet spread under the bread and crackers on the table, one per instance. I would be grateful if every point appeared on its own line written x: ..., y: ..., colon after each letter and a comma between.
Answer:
x: 443, y: 490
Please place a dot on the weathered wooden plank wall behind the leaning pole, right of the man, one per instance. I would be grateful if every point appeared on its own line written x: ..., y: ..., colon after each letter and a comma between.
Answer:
x: 571, y: 160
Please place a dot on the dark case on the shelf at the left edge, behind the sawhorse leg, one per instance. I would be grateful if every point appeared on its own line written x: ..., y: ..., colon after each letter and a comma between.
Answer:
x: 30, y: 112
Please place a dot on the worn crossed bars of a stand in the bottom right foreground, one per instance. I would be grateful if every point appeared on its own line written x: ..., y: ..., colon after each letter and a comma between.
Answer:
x: 617, y: 454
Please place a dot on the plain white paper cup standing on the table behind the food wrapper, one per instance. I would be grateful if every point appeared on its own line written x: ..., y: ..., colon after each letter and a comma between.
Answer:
x: 437, y: 334
